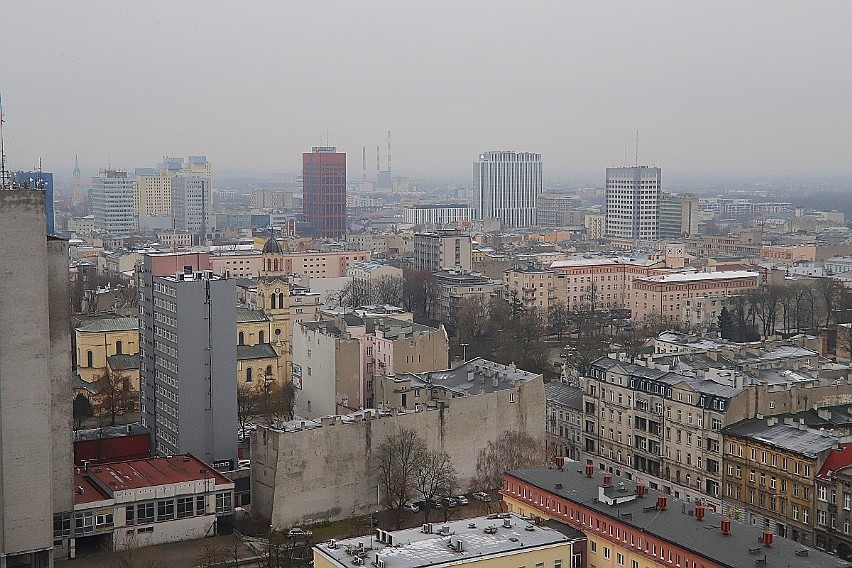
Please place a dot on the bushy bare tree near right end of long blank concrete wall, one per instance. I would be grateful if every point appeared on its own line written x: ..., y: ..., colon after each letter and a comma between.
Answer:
x: 513, y: 449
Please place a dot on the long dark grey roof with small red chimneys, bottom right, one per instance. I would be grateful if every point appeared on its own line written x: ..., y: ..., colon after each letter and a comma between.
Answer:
x: 674, y: 525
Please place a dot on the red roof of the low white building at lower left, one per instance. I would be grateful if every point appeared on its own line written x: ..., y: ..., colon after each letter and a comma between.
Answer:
x: 151, y: 472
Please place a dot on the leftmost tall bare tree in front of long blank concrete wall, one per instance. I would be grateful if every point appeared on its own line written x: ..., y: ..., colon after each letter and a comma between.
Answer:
x: 397, y: 460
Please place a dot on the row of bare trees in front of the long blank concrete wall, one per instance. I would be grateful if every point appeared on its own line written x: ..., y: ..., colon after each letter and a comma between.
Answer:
x: 408, y: 469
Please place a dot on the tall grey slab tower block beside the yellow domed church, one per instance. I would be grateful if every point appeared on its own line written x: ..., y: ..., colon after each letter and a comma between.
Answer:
x: 187, y: 325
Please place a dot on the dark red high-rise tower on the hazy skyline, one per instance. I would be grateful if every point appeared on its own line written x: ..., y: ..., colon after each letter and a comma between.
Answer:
x: 324, y: 191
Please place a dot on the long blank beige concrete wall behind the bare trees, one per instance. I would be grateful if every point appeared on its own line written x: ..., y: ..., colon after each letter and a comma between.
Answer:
x: 328, y: 473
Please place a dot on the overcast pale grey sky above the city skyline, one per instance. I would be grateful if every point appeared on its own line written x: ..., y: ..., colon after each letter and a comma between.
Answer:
x: 736, y: 87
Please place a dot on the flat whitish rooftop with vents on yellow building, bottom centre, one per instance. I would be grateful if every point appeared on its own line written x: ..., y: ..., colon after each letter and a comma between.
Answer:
x: 414, y: 548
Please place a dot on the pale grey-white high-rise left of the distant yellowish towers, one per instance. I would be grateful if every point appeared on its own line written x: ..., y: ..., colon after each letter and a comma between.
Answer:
x: 112, y: 203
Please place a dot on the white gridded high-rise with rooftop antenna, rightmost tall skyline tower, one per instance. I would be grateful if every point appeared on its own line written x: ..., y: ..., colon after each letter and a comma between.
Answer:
x: 632, y: 203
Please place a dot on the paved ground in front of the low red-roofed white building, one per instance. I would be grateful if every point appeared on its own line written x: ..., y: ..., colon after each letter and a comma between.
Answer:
x: 172, y: 555
